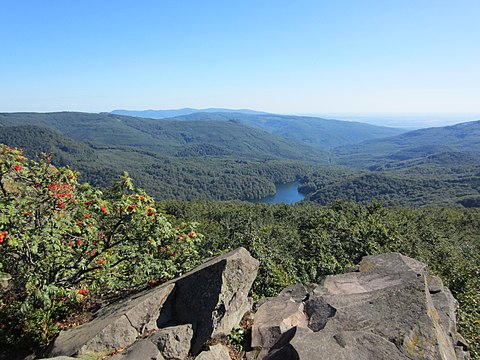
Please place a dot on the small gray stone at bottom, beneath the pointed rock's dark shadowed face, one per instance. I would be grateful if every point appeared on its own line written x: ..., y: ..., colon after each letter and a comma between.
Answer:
x: 173, y: 342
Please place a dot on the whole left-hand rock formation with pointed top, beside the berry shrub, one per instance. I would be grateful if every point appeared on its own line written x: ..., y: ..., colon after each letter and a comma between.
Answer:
x: 207, y: 302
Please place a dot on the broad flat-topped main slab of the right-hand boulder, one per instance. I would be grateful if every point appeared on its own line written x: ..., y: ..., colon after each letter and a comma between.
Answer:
x: 389, y: 297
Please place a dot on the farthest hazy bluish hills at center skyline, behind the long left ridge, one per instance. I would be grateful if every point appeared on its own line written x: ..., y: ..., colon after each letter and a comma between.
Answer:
x: 314, y: 131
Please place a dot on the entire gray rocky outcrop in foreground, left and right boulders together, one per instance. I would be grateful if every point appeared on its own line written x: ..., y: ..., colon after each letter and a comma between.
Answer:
x: 389, y: 307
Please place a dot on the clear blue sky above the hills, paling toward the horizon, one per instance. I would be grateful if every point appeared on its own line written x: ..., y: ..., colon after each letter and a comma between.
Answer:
x: 284, y: 56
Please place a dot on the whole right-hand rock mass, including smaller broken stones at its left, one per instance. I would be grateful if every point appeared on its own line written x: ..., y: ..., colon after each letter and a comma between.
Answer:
x: 390, y: 308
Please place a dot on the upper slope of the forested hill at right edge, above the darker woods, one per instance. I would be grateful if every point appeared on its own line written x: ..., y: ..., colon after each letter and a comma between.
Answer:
x: 423, y: 143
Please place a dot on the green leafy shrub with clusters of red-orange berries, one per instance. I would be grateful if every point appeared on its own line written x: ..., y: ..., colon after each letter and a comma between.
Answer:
x: 61, y: 242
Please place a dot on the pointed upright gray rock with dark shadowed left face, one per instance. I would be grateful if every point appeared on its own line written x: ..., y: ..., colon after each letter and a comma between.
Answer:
x: 213, y: 297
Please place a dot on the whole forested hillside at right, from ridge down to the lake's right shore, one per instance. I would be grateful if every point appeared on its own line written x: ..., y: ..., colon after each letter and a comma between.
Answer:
x: 438, y: 166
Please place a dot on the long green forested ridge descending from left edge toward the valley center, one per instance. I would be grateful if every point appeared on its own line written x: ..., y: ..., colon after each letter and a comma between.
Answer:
x: 173, y: 138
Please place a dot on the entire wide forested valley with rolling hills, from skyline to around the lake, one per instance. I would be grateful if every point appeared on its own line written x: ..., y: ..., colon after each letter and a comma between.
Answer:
x: 234, y: 155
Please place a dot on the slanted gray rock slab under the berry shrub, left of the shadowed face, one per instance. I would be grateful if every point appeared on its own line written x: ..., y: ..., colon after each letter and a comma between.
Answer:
x: 114, y: 327
